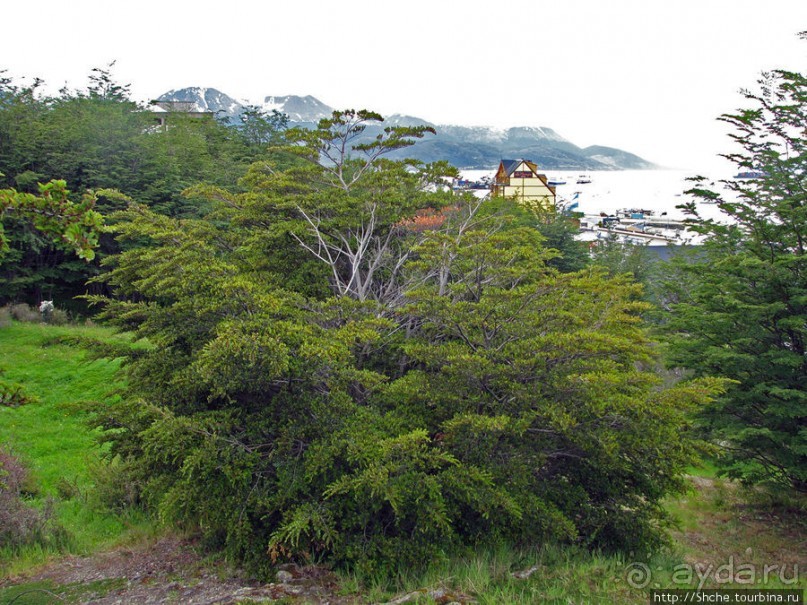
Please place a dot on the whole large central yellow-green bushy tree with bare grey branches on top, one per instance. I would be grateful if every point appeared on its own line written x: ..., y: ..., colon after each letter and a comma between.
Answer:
x: 332, y: 377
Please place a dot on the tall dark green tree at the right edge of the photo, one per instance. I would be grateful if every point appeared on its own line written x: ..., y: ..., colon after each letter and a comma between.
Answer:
x: 740, y: 310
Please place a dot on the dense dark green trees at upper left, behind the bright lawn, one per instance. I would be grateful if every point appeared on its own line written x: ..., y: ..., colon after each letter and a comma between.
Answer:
x: 97, y: 140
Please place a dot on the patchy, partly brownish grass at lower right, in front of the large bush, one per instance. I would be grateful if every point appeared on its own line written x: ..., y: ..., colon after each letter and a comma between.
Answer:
x: 723, y: 539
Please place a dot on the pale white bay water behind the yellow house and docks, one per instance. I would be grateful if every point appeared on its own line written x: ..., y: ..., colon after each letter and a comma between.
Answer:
x: 657, y: 190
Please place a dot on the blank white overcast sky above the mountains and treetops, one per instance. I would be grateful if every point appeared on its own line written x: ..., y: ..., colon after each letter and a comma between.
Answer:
x: 647, y: 76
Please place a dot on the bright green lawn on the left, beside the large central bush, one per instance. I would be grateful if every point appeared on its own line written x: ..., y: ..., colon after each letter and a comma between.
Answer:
x: 51, y: 435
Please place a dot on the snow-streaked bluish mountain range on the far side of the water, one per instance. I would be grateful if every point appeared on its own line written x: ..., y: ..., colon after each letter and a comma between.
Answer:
x: 463, y: 146
